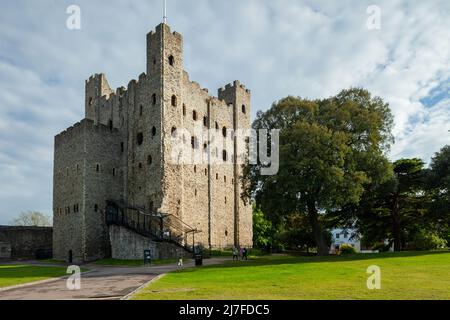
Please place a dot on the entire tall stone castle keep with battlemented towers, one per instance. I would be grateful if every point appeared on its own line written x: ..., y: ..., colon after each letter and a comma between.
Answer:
x: 117, y: 188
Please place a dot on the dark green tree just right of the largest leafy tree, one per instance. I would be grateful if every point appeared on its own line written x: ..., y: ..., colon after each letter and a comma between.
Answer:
x: 397, y: 208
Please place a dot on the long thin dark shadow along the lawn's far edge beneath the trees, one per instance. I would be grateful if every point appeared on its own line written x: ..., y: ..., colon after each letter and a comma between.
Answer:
x: 290, y: 259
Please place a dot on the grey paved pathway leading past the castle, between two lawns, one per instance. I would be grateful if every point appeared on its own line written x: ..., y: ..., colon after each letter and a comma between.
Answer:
x: 107, y: 283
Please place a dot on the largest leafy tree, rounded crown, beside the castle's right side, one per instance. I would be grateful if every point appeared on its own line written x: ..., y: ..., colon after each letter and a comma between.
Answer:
x: 329, y: 150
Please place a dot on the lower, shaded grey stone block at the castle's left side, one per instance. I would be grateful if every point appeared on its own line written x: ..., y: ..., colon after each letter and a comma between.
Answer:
x: 88, y: 171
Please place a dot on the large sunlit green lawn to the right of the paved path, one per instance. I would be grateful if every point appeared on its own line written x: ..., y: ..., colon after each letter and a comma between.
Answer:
x: 412, y: 275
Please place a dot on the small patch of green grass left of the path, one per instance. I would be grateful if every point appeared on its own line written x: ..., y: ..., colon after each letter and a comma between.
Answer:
x: 11, y: 275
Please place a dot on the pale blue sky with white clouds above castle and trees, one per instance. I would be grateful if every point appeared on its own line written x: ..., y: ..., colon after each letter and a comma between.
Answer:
x: 276, y: 48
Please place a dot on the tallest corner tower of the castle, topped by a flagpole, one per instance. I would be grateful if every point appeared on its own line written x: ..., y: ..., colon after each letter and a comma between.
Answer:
x: 165, y: 66
